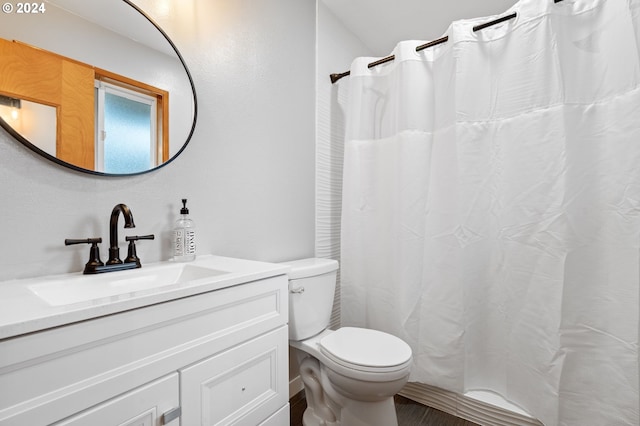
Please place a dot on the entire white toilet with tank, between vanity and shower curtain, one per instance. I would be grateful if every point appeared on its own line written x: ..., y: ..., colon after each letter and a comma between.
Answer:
x: 351, y: 374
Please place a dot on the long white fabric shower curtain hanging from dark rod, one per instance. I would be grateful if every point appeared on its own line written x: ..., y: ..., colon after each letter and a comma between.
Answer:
x: 491, y: 208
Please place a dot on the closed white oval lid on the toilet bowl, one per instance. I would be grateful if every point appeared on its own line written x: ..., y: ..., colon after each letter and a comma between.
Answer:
x: 365, y: 349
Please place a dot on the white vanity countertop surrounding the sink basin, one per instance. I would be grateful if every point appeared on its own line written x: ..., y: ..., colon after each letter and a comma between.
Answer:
x: 23, y: 311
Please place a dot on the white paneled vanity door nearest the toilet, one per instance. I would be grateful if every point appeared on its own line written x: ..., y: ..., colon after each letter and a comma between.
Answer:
x: 242, y: 386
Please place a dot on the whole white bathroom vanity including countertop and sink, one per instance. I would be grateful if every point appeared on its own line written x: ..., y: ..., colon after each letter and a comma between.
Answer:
x: 202, y: 343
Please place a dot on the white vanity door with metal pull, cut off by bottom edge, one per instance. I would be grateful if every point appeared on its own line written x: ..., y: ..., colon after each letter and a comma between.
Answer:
x: 143, y: 406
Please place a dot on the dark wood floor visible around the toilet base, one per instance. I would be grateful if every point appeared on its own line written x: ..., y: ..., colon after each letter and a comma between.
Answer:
x: 410, y: 413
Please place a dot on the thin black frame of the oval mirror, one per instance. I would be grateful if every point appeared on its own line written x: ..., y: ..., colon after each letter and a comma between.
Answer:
x: 50, y: 157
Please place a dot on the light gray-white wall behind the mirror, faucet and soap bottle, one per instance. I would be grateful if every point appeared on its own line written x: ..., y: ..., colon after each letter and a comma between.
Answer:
x: 248, y: 172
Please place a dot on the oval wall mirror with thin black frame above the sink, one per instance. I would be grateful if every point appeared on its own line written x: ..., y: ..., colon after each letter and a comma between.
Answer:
x: 96, y: 86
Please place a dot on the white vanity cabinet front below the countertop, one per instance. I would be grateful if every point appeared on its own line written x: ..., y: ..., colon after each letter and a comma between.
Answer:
x: 215, y: 358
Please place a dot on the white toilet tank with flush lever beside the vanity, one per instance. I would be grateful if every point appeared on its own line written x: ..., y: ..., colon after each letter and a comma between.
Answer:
x: 312, y: 283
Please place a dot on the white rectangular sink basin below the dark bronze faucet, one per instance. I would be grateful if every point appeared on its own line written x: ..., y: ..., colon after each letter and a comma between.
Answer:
x: 85, y: 288
